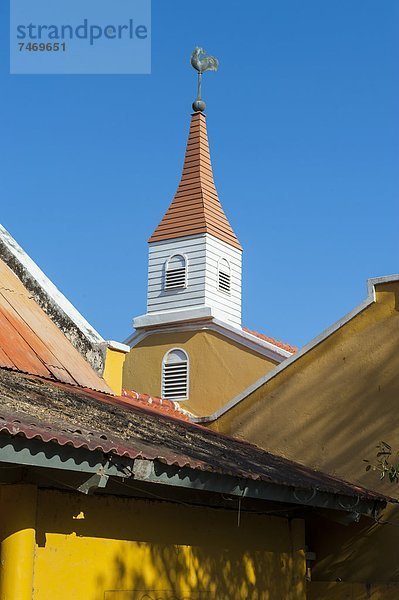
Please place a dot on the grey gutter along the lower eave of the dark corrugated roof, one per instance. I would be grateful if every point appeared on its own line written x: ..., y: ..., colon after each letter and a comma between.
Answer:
x: 100, y: 467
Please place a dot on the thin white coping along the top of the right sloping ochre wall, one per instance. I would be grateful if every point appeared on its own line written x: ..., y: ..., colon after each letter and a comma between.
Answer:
x: 371, y: 298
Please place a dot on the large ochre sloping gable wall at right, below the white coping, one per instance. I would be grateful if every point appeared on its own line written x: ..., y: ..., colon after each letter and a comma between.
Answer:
x: 330, y: 408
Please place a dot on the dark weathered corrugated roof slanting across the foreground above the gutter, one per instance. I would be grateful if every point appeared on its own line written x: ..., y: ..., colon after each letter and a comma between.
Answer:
x: 58, y: 412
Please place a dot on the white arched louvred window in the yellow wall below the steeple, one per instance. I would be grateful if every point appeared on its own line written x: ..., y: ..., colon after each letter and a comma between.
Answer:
x: 175, y: 375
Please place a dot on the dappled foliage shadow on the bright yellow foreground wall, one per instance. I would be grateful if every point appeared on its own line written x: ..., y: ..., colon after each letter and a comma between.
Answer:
x: 188, y: 572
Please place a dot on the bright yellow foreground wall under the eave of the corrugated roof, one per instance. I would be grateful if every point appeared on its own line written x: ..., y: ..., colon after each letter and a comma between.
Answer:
x: 108, y: 548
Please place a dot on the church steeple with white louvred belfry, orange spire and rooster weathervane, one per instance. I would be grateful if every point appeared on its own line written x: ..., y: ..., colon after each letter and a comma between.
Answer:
x: 195, y: 258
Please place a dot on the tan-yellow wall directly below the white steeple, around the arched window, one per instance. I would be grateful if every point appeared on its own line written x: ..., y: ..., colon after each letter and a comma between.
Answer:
x: 219, y: 368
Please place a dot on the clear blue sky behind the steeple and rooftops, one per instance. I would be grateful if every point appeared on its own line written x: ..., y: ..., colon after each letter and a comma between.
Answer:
x: 303, y: 123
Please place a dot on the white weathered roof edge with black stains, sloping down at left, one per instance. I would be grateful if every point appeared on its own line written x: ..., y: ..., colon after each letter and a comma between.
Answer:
x: 87, y: 341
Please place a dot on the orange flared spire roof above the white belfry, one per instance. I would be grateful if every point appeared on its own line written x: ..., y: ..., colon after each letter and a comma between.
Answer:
x: 196, y: 207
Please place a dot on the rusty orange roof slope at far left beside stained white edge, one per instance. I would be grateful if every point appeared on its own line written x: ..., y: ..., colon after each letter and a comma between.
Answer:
x: 31, y: 343
